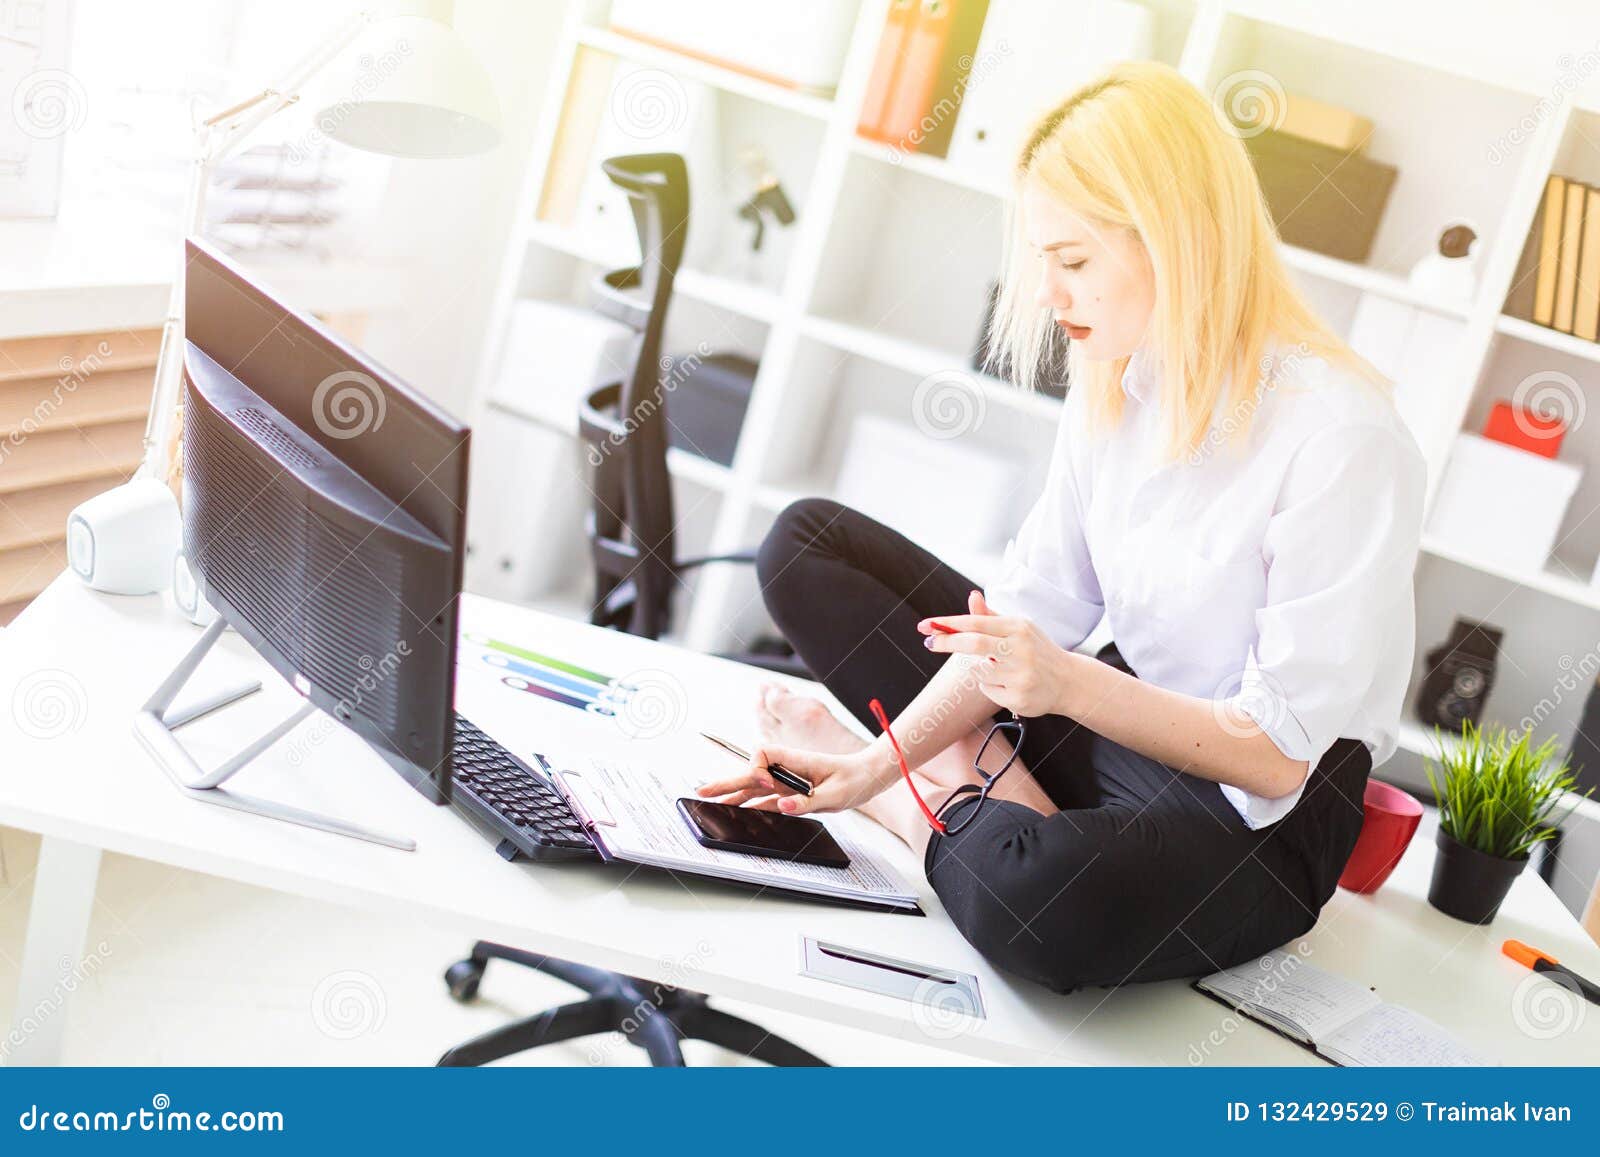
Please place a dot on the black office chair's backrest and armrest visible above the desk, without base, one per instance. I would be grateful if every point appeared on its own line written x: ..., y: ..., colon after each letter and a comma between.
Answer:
x: 625, y: 425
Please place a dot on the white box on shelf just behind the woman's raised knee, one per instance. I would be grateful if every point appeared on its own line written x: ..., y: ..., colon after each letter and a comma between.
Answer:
x: 935, y: 492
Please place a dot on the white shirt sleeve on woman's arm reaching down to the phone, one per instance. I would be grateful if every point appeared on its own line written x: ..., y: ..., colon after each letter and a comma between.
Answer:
x: 1047, y: 575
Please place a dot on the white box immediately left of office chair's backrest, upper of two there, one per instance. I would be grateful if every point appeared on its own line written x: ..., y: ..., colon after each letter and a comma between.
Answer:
x: 554, y: 356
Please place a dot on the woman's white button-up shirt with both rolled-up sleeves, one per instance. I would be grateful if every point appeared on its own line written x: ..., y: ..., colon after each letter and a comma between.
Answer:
x: 1270, y: 570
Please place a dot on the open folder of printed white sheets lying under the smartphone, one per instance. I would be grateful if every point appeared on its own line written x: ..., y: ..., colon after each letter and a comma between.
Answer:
x: 631, y: 814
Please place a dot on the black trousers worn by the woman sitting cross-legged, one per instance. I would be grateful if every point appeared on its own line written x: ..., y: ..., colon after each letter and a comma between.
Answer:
x: 1145, y: 873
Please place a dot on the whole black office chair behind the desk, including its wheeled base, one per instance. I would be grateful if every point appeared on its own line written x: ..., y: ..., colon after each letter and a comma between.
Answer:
x: 636, y: 570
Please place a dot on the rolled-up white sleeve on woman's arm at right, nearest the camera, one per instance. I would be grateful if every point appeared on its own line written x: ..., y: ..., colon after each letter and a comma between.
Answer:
x: 1340, y: 551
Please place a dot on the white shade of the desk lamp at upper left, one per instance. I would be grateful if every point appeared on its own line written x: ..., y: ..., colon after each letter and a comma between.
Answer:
x: 415, y: 90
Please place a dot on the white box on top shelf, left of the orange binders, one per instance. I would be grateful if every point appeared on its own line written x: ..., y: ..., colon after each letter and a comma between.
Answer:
x: 796, y: 46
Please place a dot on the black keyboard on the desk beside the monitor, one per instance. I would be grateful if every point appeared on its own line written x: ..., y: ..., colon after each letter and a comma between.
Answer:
x: 514, y: 799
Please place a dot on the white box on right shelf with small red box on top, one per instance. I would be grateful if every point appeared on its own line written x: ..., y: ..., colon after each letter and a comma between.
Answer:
x: 1503, y: 505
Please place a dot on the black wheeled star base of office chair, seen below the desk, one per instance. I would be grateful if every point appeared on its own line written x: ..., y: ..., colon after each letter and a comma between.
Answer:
x: 654, y: 1017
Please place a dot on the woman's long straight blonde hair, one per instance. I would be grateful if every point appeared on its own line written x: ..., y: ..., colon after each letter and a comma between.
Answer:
x: 1142, y: 148
